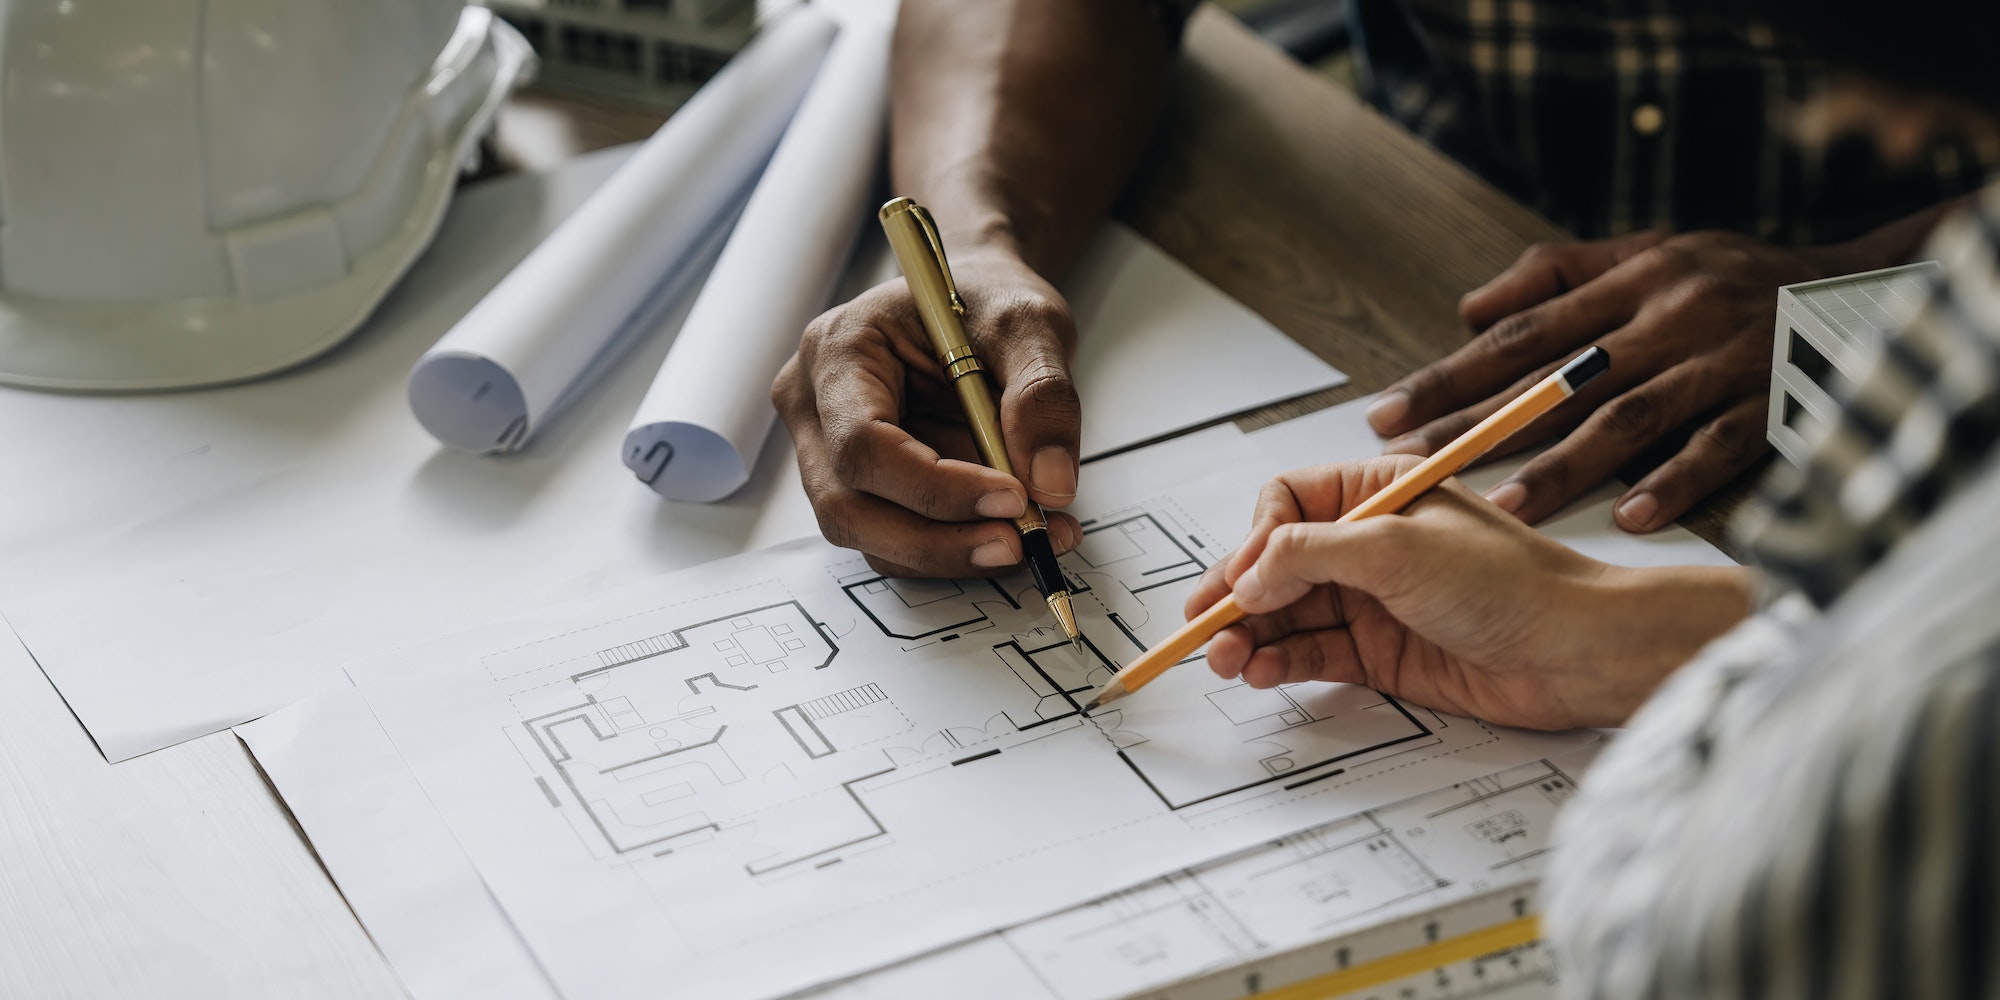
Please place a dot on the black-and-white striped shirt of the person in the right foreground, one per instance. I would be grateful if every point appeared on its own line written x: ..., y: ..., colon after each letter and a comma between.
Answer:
x: 1813, y: 807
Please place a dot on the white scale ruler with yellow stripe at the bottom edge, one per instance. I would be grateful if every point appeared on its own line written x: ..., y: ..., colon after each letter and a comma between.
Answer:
x: 1481, y: 947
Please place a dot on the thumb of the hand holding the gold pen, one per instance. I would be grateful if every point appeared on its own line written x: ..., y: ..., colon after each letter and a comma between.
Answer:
x: 1041, y: 417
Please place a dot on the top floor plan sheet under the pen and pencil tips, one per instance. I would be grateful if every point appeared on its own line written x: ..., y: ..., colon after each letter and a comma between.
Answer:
x: 785, y: 767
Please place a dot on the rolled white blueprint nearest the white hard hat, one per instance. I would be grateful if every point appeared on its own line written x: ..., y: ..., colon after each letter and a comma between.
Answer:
x: 497, y: 377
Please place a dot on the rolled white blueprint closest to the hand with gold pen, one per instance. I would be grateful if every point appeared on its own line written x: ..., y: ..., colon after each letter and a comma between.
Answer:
x: 707, y: 415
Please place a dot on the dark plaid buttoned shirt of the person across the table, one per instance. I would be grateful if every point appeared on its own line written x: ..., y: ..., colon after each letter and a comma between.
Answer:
x: 1613, y: 117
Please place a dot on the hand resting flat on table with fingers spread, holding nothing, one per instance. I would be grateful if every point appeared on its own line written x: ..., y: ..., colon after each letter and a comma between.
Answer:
x: 1689, y: 327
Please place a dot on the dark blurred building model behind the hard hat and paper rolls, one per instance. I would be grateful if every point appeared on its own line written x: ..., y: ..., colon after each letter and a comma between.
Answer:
x: 639, y: 51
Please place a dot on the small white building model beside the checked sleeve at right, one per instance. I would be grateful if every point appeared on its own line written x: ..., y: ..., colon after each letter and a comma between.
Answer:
x: 1827, y: 333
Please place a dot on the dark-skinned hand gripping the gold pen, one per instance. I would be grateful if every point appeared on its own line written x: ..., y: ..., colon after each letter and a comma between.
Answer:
x: 883, y: 445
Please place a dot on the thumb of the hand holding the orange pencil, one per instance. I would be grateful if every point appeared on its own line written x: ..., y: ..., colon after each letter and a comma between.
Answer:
x: 1299, y: 557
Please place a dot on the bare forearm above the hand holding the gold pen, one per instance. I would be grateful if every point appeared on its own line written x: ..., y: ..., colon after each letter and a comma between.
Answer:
x: 1019, y: 121
